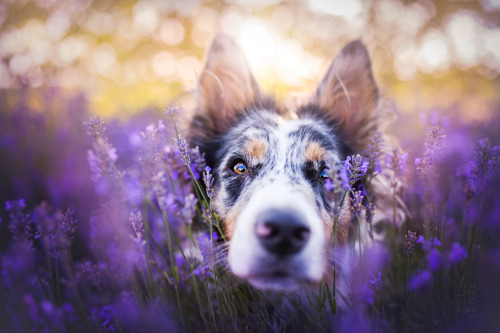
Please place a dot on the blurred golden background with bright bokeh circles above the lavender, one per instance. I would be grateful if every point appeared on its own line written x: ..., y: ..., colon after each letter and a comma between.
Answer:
x: 127, y: 55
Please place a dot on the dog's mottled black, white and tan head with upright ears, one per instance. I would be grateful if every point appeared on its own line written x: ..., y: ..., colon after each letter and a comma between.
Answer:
x: 269, y: 161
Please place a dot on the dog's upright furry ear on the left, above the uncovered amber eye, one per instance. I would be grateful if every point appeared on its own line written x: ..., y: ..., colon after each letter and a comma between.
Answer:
x: 225, y: 88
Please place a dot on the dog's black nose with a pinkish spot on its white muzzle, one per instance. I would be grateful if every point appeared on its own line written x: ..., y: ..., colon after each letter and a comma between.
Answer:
x: 282, y: 233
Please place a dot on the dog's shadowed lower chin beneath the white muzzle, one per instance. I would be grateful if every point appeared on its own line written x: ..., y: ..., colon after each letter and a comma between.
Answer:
x: 279, y: 281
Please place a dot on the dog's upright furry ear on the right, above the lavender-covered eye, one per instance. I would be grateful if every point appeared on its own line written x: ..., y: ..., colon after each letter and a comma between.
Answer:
x: 349, y: 96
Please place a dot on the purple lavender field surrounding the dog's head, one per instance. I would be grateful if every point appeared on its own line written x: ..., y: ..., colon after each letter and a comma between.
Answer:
x: 110, y: 229
